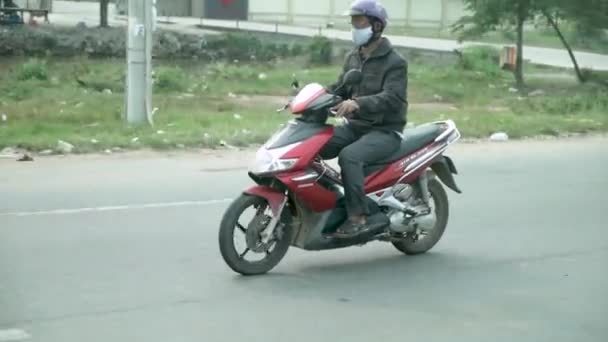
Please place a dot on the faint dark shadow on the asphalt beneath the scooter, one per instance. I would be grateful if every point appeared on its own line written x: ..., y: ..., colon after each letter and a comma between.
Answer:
x: 371, y: 277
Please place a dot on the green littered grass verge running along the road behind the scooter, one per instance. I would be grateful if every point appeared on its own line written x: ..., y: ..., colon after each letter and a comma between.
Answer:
x: 198, y: 104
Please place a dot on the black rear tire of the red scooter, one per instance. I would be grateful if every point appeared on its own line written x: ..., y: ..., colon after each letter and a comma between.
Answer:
x: 409, y: 245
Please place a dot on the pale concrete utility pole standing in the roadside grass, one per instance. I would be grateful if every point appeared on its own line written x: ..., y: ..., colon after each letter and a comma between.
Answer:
x: 138, y: 99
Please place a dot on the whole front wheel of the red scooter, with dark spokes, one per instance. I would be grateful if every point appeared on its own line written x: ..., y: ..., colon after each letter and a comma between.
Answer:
x: 233, y: 226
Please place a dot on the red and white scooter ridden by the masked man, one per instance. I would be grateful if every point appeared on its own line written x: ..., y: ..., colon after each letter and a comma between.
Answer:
x: 299, y: 199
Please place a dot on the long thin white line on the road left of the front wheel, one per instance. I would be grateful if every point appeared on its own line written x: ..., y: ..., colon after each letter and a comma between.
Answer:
x: 114, y: 208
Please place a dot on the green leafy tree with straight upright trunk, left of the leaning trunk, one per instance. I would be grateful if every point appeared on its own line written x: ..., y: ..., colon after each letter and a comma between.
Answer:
x: 494, y: 15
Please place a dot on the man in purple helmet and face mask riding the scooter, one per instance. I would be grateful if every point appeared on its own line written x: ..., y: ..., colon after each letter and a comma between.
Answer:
x: 375, y: 111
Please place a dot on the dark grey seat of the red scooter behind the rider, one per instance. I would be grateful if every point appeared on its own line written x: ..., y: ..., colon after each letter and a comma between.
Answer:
x: 413, y: 140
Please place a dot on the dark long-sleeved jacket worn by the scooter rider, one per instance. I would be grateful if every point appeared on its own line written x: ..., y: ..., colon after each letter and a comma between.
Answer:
x: 382, y: 94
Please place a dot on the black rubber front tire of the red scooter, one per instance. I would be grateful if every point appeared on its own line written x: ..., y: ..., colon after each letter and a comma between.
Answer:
x: 230, y: 224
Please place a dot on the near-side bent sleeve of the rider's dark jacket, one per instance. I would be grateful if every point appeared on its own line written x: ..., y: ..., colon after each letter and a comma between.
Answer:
x: 394, y: 88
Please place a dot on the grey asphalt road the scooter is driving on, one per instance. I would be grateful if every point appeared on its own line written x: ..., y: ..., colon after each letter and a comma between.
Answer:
x: 525, y: 256
